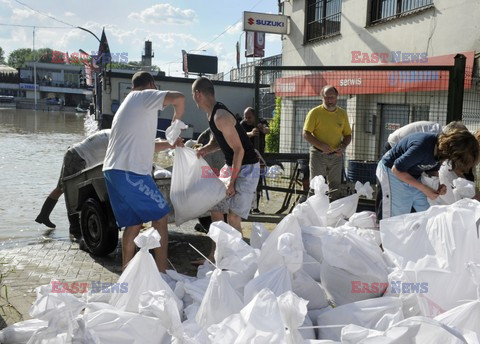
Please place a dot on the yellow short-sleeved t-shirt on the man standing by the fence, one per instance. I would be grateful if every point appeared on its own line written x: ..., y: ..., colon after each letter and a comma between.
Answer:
x: 328, y: 127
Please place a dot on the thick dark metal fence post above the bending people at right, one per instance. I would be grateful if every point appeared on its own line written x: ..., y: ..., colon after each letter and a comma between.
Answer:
x: 455, y: 89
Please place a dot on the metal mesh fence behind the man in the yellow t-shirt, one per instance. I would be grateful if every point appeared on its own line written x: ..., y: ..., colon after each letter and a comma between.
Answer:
x: 378, y: 100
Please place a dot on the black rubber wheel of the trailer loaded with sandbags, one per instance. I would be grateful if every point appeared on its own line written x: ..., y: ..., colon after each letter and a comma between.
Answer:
x: 99, y: 237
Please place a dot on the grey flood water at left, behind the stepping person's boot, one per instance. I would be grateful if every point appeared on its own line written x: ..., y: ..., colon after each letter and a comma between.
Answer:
x: 32, y: 145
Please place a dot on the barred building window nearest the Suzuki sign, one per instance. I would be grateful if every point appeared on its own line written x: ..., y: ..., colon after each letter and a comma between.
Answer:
x: 323, y: 18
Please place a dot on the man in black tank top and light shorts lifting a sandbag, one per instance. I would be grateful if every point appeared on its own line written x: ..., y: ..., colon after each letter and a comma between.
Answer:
x: 241, y: 160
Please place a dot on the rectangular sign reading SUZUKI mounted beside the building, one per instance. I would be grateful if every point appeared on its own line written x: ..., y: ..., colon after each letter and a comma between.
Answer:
x: 262, y: 22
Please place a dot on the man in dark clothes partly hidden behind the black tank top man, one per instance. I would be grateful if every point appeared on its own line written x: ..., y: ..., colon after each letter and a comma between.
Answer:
x: 253, y: 131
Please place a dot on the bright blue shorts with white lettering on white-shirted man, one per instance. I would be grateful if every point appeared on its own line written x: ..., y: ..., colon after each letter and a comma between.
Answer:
x: 135, y: 198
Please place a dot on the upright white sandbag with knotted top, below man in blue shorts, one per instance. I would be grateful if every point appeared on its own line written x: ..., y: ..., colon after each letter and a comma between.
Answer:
x: 141, y: 275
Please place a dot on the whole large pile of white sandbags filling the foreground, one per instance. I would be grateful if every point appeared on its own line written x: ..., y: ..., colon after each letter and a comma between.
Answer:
x: 319, y: 277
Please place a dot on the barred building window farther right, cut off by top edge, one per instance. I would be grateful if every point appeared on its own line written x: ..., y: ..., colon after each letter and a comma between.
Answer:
x: 388, y: 9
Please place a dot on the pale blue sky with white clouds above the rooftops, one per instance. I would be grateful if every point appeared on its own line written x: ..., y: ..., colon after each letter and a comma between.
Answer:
x: 171, y: 26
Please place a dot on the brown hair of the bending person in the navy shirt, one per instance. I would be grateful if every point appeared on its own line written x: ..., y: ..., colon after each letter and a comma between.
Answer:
x: 460, y: 147
